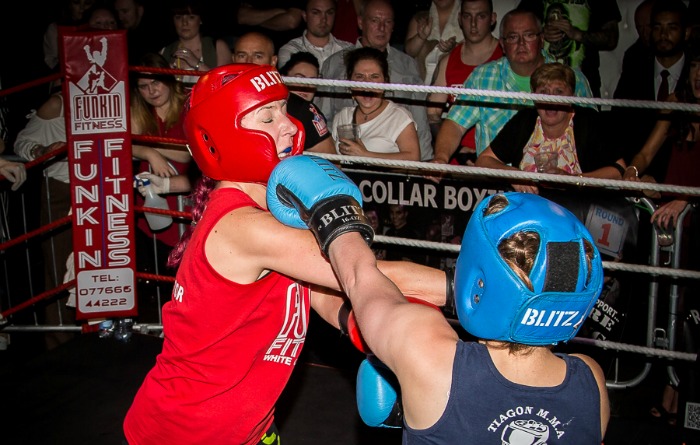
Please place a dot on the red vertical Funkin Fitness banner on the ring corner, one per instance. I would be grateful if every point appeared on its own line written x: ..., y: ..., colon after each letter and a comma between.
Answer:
x: 99, y: 152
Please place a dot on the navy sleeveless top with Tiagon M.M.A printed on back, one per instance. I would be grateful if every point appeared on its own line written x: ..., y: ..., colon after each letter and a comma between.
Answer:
x: 486, y: 408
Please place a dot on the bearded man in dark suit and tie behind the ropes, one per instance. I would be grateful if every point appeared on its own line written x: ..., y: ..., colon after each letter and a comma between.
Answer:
x: 663, y: 70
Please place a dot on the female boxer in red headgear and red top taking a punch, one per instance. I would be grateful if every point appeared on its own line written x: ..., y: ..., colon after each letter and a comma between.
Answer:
x: 237, y: 320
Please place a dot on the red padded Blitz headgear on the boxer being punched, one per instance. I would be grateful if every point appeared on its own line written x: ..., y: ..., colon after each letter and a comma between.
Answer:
x: 220, y: 146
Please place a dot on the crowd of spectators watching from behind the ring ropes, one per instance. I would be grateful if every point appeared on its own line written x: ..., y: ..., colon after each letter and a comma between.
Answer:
x: 543, y: 46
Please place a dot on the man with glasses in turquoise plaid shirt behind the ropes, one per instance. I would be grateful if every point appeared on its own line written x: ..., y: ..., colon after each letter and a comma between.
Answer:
x: 522, y: 42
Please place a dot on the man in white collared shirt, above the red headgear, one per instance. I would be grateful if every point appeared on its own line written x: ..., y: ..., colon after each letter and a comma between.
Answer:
x: 317, y: 39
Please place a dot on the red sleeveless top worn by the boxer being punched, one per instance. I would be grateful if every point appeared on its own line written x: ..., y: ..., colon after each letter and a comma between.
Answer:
x: 228, y: 352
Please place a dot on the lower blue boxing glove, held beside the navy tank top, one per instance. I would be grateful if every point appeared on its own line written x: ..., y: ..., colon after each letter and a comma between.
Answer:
x: 378, y: 395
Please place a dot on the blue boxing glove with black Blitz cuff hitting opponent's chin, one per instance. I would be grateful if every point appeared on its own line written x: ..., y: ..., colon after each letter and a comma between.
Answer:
x: 310, y: 192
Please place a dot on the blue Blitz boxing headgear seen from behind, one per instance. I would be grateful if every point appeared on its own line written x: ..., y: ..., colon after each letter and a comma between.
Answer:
x: 494, y: 303
